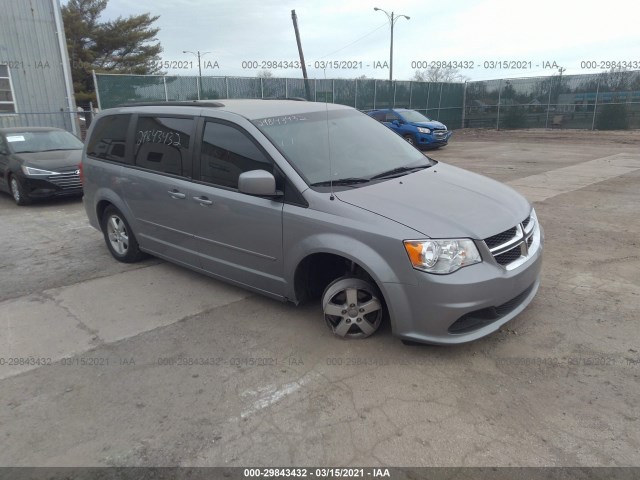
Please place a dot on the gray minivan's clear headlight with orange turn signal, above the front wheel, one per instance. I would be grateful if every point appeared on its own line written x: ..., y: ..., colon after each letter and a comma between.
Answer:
x: 442, y: 256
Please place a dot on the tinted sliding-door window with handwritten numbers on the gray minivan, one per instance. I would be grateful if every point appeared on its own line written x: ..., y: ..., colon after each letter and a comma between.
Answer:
x: 163, y: 144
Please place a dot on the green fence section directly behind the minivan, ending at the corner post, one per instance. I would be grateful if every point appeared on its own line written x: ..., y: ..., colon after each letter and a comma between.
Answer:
x: 440, y: 101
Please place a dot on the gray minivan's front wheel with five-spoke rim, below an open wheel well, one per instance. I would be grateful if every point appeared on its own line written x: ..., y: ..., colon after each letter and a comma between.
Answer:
x: 352, y: 307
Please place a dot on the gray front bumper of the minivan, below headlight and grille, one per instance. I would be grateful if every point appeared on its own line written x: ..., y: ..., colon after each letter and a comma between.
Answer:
x: 466, y: 305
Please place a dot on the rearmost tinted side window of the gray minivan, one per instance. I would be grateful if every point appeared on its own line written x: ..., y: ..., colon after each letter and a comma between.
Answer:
x: 108, y: 138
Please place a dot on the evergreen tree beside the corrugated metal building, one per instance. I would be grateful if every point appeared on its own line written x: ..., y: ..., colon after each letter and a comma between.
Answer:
x: 123, y: 45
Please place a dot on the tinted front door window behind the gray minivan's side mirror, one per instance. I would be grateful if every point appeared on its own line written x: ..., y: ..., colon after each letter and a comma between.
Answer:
x: 226, y: 153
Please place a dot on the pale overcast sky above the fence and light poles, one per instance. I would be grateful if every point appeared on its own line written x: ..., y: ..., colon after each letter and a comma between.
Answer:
x: 483, y: 36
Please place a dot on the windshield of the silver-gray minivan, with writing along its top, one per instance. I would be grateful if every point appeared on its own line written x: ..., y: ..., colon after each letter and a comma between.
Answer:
x: 343, y: 146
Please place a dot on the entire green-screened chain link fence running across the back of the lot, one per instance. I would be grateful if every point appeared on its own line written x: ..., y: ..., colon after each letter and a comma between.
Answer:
x: 605, y: 101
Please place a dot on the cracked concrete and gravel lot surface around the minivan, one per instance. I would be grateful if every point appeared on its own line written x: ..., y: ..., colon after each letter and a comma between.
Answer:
x: 557, y: 387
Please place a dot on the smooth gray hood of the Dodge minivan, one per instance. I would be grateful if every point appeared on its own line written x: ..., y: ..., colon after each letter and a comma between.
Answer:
x: 443, y: 202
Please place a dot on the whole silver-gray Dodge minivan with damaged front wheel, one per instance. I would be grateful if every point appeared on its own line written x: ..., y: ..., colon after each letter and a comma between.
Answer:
x: 302, y: 201
